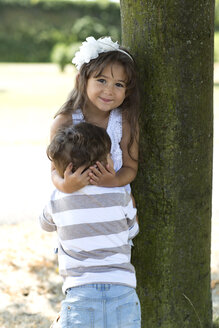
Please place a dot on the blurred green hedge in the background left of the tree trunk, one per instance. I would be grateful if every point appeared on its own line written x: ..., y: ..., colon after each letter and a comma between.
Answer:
x: 30, y: 29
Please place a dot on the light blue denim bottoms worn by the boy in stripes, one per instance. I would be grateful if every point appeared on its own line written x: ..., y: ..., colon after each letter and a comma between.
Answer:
x: 101, y: 306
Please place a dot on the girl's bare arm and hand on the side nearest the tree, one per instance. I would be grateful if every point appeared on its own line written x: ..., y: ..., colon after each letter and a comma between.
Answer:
x: 107, y: 177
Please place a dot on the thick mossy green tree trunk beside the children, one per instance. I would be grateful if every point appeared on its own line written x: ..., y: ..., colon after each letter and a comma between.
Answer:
x: 172, y: 42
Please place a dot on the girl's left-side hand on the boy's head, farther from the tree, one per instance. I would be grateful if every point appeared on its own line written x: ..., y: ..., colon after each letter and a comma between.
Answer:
x: 71, y: 181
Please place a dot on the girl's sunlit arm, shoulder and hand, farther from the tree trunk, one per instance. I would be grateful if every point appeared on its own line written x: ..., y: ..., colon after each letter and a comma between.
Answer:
x: 71, y: 181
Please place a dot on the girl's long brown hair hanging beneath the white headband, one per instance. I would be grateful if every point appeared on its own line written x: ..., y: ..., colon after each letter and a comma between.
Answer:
x: 129, y: 107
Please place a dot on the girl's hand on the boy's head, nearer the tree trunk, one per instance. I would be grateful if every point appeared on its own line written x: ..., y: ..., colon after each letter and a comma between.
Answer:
x: 102, y: 176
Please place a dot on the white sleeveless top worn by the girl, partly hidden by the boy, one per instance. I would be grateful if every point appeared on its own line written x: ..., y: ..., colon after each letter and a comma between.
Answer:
x: 114, y: 130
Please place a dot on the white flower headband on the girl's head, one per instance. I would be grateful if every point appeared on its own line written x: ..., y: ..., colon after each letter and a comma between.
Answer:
x: 91, y: 48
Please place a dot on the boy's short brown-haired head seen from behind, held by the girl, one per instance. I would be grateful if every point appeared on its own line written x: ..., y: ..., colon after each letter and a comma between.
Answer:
x: 81, y: 144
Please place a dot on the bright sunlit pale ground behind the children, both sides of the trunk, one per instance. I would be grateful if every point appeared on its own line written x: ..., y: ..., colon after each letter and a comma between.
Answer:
x: 29, y: 97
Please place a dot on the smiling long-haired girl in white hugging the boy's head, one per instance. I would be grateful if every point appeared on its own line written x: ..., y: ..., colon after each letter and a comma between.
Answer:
x: 105, y: 94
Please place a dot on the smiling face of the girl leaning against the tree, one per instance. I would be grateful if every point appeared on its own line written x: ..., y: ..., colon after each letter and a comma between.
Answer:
x: 106, y: 91
